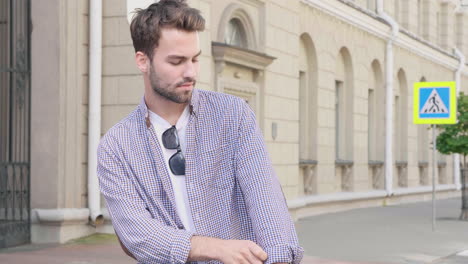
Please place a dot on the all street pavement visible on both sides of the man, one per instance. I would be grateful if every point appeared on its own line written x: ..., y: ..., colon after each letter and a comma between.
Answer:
x: 400, y: 234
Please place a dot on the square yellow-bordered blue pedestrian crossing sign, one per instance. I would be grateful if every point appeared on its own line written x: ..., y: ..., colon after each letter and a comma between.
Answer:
x: 435, y: 103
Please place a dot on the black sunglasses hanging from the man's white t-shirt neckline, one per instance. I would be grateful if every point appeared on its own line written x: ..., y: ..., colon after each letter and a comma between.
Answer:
x: 170, y: 140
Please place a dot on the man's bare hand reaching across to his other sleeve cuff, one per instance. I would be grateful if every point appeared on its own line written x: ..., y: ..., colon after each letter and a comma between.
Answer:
x: 226, y: 251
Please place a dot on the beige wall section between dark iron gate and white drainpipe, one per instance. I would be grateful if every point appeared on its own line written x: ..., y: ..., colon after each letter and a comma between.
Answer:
x: 59, y: 66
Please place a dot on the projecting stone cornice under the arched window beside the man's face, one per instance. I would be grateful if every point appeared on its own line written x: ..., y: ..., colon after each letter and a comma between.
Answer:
x: 226, y: 53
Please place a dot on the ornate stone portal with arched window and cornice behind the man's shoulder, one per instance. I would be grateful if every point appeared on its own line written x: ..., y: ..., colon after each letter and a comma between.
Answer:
x: 234, y: 74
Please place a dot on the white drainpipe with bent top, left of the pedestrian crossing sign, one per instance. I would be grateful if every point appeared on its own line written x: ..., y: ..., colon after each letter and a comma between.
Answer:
x: 389, y: 97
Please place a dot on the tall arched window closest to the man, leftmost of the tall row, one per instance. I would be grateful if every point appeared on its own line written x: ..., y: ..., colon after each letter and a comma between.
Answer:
x: 308, y: 114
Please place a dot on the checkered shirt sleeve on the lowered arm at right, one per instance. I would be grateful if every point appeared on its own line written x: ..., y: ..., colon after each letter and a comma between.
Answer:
x: 266, y: 204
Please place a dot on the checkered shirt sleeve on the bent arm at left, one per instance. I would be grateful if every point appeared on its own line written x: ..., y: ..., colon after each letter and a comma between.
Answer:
x: 149, y: 240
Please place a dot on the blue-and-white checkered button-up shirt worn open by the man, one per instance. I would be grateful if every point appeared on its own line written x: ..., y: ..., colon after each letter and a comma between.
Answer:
x: 232, y: 188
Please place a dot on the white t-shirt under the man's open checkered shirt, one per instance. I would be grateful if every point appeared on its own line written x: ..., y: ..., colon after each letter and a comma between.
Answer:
x: 178, y: 181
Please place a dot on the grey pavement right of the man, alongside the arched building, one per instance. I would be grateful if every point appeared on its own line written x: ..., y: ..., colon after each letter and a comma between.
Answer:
x: 393, y: 234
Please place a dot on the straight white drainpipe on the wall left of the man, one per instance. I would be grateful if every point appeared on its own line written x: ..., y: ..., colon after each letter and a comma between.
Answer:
x: 94, y: 118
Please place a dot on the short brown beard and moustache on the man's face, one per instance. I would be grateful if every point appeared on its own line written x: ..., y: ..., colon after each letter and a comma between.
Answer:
x: 169, y: 91
